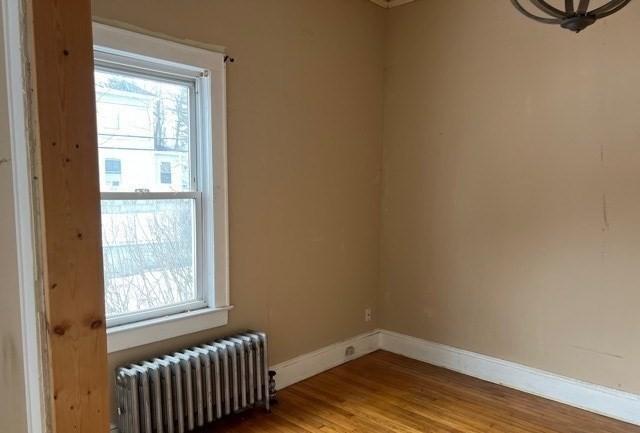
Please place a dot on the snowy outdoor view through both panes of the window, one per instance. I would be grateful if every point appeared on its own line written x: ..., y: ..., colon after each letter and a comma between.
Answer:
x: 150, y: 194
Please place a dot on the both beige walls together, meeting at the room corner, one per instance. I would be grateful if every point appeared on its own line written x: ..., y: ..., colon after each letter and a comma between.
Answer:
x: 511, y: 171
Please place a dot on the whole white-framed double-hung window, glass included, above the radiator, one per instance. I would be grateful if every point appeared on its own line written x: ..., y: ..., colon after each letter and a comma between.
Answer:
x: 163, y: 187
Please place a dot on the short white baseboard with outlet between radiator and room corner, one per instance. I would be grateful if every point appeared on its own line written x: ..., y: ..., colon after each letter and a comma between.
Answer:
x: 310, y: 364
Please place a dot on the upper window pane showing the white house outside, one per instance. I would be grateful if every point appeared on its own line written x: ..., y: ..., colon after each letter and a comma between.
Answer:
x: 145, y: 125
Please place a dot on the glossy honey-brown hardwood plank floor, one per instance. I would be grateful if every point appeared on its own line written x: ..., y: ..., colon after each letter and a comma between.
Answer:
x: 385, y: 393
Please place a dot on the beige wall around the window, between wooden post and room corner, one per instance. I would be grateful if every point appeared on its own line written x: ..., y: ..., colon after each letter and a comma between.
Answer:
x: 305, y: 144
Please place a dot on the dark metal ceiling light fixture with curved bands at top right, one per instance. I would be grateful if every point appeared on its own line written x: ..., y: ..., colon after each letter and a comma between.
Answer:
x: 571, y: 18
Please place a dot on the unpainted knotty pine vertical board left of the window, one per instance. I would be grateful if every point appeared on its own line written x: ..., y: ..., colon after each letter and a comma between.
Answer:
x: 62, y: 62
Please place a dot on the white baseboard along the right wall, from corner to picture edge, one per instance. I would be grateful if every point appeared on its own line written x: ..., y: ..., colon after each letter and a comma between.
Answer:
x: 593, y: 398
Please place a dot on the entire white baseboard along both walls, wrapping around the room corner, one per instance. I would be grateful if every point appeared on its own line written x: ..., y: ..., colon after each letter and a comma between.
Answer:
x: 593, y: 398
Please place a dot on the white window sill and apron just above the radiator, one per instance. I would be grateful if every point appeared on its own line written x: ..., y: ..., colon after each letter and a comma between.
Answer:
x: 150, y: 331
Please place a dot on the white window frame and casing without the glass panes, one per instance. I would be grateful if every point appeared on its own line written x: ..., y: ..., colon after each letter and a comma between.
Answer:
x: 207, y: 70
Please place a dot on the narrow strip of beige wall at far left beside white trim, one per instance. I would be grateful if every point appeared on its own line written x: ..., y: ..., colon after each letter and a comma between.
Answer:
x: 12, y: 392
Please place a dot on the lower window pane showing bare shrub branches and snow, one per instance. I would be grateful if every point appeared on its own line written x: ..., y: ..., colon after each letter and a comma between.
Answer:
x: 148, y: 254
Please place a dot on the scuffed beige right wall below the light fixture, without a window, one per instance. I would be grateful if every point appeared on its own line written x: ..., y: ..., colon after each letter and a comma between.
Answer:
x: 511, y: 206
